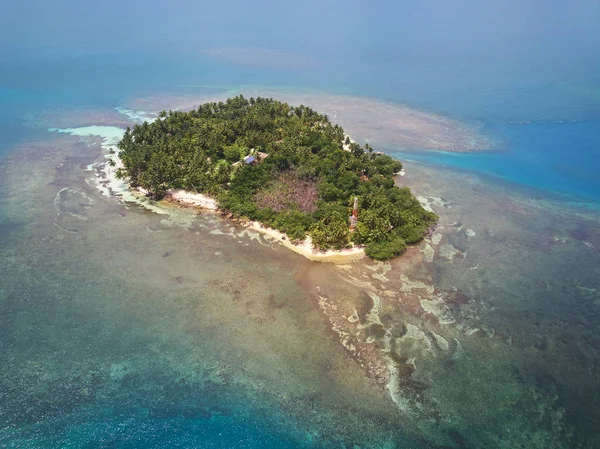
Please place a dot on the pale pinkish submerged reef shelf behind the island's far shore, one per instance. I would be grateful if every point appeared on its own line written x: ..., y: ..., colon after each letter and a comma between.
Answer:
x: 369, y: 120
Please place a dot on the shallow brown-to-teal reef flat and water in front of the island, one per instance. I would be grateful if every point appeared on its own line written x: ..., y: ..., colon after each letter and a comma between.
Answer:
x: 115, y: 317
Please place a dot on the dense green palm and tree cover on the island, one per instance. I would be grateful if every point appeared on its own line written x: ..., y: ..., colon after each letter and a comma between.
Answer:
x: 303, y: 180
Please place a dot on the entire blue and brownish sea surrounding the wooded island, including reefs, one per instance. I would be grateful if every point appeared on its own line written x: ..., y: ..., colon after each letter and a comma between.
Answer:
x: 129, y: 324
